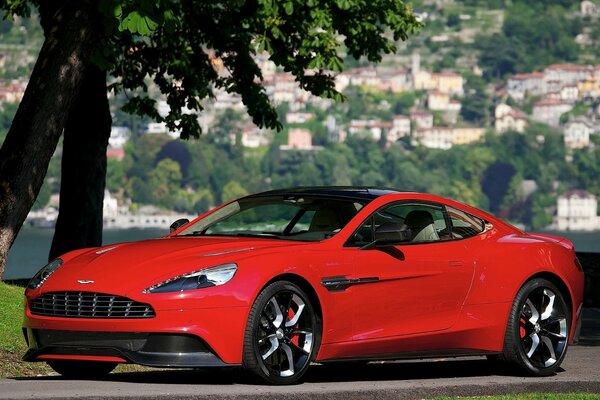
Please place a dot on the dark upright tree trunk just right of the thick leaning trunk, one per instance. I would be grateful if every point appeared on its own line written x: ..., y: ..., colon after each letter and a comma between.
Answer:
x: 83, y: 169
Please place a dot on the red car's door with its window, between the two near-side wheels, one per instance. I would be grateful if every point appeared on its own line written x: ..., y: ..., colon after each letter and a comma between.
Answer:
x: 414, y: 287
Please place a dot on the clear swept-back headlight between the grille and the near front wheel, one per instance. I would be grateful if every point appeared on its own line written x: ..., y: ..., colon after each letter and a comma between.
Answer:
x: 207, y: 277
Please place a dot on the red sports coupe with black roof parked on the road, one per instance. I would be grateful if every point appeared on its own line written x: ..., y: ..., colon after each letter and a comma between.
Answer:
x: 277, y: 280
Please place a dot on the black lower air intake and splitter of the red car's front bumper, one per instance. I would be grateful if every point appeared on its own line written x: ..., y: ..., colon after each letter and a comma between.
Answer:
x: 151, y: 349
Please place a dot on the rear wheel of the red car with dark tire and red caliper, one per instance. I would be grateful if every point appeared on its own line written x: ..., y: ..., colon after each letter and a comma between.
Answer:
x: 537, y: 332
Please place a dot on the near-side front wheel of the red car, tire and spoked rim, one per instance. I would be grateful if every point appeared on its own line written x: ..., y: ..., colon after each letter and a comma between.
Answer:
x: 282, y: 335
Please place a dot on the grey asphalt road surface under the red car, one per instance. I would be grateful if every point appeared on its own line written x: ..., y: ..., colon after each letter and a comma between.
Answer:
x: 393, y: 380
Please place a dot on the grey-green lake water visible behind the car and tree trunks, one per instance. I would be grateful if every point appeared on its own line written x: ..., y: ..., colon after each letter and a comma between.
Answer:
x: 30, y: 250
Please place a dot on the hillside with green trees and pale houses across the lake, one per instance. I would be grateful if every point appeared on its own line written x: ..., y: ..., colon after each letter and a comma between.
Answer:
x: 494, y: 103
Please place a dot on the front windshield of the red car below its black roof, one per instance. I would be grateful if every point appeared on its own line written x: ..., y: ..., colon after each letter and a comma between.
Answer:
x: 304, y: 218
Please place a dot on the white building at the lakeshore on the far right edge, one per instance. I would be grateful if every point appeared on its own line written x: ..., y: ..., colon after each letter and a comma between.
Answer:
x: 577, y: 211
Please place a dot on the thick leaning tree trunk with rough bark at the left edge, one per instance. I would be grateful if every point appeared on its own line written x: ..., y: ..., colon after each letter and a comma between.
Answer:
x: 42, y: 114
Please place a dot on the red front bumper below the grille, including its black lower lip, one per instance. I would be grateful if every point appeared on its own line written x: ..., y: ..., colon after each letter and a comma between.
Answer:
x: 173, y: 338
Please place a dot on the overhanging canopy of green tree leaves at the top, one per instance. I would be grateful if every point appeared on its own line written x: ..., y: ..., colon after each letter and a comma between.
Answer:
x: 190, y: 48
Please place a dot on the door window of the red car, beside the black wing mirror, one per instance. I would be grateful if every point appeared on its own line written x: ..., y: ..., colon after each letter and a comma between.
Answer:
x: 425, y: 221
